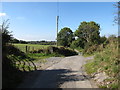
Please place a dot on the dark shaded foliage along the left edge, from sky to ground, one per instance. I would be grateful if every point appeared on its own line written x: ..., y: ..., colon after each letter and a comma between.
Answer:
x: 11, y: 74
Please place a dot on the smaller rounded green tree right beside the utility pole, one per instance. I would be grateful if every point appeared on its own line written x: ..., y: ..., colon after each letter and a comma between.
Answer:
x: 65, y: 37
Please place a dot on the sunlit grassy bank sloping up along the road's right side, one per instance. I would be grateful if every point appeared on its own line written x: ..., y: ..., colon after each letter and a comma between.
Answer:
x: 106, y: 61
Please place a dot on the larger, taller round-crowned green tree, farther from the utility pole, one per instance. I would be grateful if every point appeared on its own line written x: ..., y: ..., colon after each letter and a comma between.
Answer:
x: 88, y: 32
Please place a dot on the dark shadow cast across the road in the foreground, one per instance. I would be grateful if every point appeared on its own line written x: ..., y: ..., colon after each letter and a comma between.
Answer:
x: 50, y: 78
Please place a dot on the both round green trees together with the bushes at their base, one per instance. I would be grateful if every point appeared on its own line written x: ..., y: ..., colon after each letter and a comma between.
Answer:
x: 86, y: 35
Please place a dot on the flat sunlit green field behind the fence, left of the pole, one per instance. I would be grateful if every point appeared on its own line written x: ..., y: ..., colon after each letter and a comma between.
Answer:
x: 31, y: 47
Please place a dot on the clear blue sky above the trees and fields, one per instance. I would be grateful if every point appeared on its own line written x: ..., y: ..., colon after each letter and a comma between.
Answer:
x: 37, y: 20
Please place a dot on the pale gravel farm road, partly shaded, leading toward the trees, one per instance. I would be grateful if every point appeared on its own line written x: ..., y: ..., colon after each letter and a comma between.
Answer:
x: 65, y: 72
